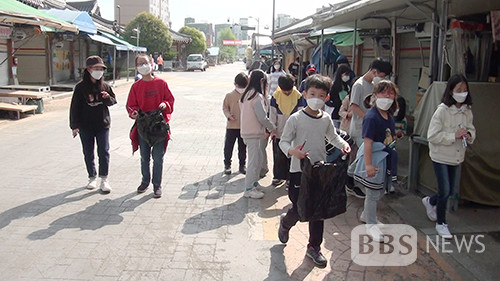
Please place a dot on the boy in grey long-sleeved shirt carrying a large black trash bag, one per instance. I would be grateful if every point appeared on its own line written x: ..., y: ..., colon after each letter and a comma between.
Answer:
x: 303, y: 140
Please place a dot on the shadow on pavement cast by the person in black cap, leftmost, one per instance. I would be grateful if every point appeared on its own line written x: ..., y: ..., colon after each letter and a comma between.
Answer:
x: 42, y: 205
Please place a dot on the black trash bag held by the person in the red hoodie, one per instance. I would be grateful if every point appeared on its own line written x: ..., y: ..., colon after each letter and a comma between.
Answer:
x: 151, y: 126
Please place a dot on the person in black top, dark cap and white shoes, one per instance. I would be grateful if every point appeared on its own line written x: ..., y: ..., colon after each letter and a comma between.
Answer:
x: 89, y: 117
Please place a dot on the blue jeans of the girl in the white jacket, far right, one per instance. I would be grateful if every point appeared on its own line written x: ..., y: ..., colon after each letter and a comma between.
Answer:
x: 446, y: 176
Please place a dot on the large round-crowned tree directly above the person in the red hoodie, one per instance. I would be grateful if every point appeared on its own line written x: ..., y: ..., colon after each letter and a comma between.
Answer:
x: 153, y: 34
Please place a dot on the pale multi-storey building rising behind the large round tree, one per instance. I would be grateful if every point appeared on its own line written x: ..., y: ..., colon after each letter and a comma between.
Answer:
x: 129, y: 9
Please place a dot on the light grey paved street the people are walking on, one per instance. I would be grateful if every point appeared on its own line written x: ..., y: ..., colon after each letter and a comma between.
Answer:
x: 52, y: 228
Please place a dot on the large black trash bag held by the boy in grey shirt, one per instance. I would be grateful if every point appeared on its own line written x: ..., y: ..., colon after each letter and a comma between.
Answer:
x: 322, y: 189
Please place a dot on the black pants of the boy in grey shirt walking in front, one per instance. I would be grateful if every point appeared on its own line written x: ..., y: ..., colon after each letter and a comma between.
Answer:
x: 292, y: 216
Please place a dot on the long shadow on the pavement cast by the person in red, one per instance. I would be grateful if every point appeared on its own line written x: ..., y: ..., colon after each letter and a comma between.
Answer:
x: 105, y: 212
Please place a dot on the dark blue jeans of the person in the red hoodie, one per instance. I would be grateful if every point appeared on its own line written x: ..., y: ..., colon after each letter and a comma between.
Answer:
x: 158, y: 151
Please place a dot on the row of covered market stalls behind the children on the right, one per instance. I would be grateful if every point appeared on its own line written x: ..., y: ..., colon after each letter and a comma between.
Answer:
x: 426, y: 41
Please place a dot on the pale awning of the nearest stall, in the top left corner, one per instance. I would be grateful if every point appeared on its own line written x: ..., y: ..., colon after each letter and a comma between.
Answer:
x: 12, y: 11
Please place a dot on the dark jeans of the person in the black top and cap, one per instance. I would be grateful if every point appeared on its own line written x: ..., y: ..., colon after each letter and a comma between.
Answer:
x: 102, y: 137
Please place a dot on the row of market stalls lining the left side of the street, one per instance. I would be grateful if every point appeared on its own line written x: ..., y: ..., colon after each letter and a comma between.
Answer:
x: 49, y: 47
